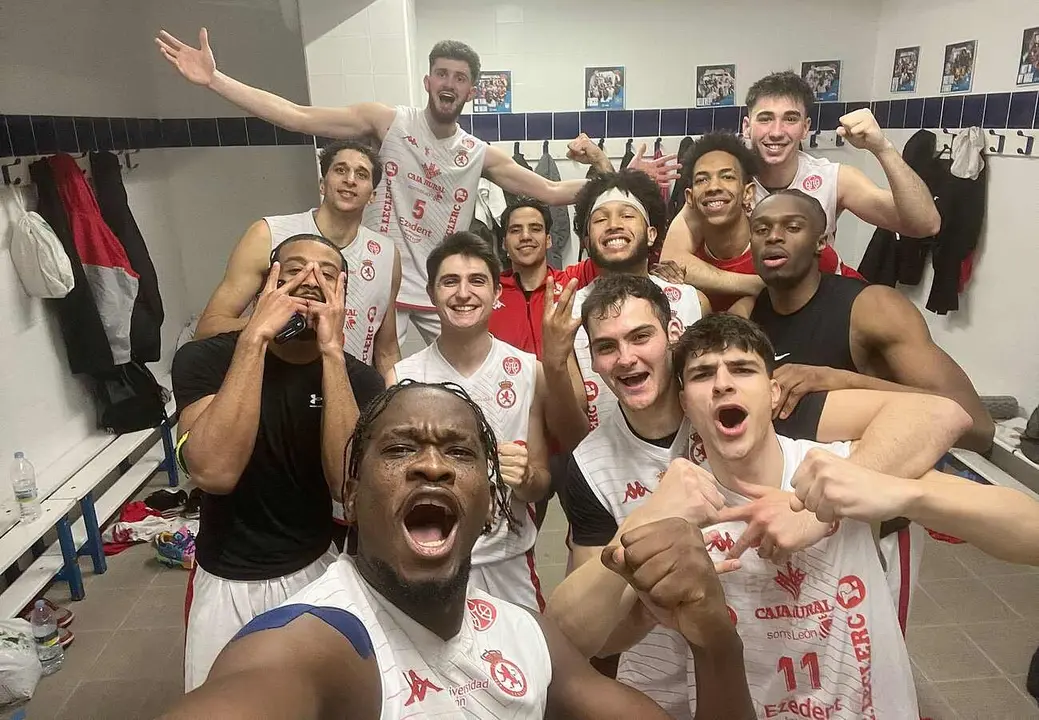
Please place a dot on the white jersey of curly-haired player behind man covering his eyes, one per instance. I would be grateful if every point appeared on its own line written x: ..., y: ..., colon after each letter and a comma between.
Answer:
x: 369, y: 282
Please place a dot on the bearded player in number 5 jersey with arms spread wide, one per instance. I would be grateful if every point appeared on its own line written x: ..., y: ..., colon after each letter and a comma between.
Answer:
x: 433, y: 167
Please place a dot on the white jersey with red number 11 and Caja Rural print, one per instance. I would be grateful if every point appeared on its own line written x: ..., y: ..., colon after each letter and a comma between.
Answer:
x: 821, y: 636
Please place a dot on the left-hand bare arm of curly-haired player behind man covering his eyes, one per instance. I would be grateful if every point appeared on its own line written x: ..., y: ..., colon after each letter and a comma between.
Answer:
x: 243, y: 281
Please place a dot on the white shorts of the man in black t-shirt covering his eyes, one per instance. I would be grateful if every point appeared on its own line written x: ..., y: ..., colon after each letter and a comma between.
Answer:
x: 216, y: 609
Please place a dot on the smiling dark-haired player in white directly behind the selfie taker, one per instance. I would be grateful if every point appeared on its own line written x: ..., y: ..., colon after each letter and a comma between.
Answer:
x: 510, y: 386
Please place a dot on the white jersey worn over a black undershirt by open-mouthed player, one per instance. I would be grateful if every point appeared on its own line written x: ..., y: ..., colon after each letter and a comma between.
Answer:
x: 624, y: 471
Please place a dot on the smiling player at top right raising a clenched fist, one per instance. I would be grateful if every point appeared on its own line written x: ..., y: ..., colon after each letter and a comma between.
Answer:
x: 779, y: 120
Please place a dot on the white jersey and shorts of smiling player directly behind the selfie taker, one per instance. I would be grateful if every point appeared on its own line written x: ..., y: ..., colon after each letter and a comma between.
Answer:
x: 504, y: 386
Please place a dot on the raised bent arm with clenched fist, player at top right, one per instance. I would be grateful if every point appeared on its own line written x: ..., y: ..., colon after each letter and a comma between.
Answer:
x: 908, y: 207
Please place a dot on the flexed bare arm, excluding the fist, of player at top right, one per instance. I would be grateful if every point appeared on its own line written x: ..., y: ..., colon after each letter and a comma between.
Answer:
x: 907, y: 208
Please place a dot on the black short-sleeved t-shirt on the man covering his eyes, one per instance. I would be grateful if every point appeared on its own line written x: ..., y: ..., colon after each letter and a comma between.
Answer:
x: 278, y: 520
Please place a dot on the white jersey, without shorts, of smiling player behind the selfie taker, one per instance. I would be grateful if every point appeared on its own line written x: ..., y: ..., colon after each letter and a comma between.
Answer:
x: 504, y: 389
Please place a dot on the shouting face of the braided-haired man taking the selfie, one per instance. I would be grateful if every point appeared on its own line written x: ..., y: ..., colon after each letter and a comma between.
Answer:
x: 423, y: 496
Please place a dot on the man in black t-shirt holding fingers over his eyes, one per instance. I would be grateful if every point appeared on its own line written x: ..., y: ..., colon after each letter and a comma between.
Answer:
x: 255, y: 415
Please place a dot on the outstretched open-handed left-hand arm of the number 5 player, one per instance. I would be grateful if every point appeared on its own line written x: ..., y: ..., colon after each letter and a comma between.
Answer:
x: 199, y: 66
